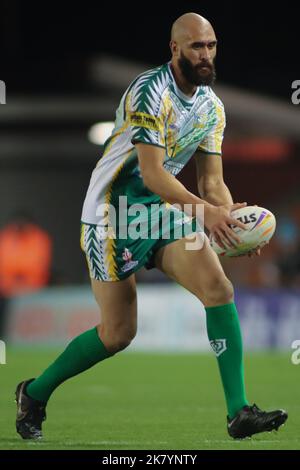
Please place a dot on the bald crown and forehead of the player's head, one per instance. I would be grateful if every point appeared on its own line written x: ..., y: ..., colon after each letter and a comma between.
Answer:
x: 188, y: 25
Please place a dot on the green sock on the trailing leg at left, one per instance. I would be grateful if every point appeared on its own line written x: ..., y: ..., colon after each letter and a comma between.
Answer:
x: 83, y: 352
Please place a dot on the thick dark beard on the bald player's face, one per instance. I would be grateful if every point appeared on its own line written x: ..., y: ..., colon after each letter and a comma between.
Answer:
x: 193, y: 74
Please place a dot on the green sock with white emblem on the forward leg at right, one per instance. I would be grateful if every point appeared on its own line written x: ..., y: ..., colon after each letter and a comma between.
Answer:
x: 223, y: 329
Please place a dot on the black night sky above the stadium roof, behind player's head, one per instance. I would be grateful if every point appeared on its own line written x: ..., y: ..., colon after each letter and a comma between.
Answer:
x: 42, y: 42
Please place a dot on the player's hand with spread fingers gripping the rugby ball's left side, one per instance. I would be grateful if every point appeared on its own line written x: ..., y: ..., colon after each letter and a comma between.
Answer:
x: 218, y: 220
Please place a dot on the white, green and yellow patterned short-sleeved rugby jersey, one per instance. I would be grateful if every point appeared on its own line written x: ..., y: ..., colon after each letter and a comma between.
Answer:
x: 154, y: 111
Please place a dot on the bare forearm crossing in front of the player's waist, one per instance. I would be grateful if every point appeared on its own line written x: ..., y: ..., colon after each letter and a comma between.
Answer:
x: 171, y: 190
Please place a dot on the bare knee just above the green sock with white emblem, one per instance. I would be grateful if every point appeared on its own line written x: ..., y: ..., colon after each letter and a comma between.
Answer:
x: 219, y: 292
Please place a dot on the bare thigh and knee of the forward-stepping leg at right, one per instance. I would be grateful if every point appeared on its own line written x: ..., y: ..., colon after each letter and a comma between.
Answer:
x: 198, y: 270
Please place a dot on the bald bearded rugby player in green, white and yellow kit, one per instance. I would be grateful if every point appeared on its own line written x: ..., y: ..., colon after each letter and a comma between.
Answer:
x: 166, y: 116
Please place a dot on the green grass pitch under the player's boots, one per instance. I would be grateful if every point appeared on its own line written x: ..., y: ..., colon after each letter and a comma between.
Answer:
x: 141, y: 401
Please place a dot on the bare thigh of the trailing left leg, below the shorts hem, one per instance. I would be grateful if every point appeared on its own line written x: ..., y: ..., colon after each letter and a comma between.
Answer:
x: 117, y: 302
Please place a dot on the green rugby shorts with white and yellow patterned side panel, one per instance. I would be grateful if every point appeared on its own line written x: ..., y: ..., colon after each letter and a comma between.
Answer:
x: 113, y: 258
